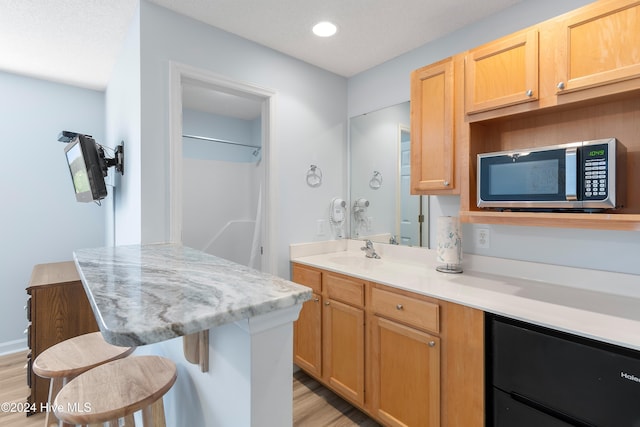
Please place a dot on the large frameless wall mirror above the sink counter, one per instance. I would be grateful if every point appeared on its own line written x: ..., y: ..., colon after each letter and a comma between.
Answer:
x: 382, y: 209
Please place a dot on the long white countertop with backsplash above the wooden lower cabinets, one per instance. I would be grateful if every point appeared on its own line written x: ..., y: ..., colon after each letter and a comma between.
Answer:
x: 595, y: 304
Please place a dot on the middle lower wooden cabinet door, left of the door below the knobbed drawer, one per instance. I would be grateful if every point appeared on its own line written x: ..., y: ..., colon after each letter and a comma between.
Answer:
x: 343, y: 358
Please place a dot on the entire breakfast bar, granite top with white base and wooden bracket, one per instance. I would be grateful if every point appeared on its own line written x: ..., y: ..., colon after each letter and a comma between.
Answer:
x: 150, y: 295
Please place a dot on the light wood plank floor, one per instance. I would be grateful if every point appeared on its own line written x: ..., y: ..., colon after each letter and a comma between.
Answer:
x: 313, y: 404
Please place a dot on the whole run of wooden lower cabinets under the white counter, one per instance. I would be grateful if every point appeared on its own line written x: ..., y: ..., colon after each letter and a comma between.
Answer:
x: 404, y: 359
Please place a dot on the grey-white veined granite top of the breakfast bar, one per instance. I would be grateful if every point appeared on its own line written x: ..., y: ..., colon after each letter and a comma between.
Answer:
x: 143, y: 294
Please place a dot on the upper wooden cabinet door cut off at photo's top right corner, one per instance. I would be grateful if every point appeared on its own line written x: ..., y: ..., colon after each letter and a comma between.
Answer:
x: 600, y: 45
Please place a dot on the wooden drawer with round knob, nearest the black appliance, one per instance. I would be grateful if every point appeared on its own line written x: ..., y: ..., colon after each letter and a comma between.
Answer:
x: 421, y: 314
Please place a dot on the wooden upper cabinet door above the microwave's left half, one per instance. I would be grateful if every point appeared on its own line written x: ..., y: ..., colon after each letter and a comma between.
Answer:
x: 502, y: 73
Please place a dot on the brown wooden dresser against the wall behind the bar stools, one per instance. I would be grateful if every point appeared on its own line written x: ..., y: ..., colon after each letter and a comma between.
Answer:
x: 57, y: 309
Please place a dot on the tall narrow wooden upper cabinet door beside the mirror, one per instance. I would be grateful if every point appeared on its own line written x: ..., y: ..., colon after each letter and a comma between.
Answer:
x: 432, y: 128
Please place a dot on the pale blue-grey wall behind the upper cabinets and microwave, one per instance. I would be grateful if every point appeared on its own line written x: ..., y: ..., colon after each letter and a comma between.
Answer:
x: 388, y: 84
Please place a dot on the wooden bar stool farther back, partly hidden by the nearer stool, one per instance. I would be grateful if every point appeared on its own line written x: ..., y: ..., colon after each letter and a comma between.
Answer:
x: 70, y: 358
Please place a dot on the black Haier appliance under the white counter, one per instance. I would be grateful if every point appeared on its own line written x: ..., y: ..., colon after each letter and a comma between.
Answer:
x: 538, y: 377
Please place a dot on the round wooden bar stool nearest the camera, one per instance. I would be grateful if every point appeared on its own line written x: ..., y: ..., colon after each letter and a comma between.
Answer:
x: 116, y: 390
